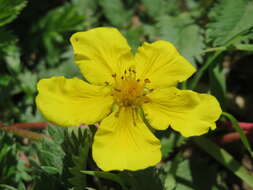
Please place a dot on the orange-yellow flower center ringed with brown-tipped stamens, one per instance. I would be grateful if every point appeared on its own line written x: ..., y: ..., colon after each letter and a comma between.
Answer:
x: 129, y: 91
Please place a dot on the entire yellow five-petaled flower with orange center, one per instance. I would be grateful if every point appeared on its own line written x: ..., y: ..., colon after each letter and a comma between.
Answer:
x: 121, y: 87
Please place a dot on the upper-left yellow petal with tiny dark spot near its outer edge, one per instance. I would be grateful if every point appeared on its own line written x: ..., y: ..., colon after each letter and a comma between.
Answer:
x: 99, y: 53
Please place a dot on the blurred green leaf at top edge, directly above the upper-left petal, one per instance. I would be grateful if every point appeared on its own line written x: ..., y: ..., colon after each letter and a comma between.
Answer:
x: 116, y: 13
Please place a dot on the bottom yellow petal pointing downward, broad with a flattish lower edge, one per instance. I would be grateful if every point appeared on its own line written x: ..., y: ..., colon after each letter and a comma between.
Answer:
x: 124, y: 142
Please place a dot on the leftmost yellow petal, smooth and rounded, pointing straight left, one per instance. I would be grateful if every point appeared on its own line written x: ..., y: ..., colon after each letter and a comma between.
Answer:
x: 71, y: 102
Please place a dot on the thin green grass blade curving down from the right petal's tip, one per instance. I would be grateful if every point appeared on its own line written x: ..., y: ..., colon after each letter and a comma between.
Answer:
x: 240, y: 131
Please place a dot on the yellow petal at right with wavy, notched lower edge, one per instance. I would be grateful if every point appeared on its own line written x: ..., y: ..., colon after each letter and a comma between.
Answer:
x: 185, y: 111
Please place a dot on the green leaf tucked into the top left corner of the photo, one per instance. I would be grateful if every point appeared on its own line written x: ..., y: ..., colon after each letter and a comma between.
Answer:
x: 10, y: 9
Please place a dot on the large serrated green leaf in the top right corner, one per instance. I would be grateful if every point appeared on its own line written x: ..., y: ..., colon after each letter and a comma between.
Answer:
x: 228, y: 18
